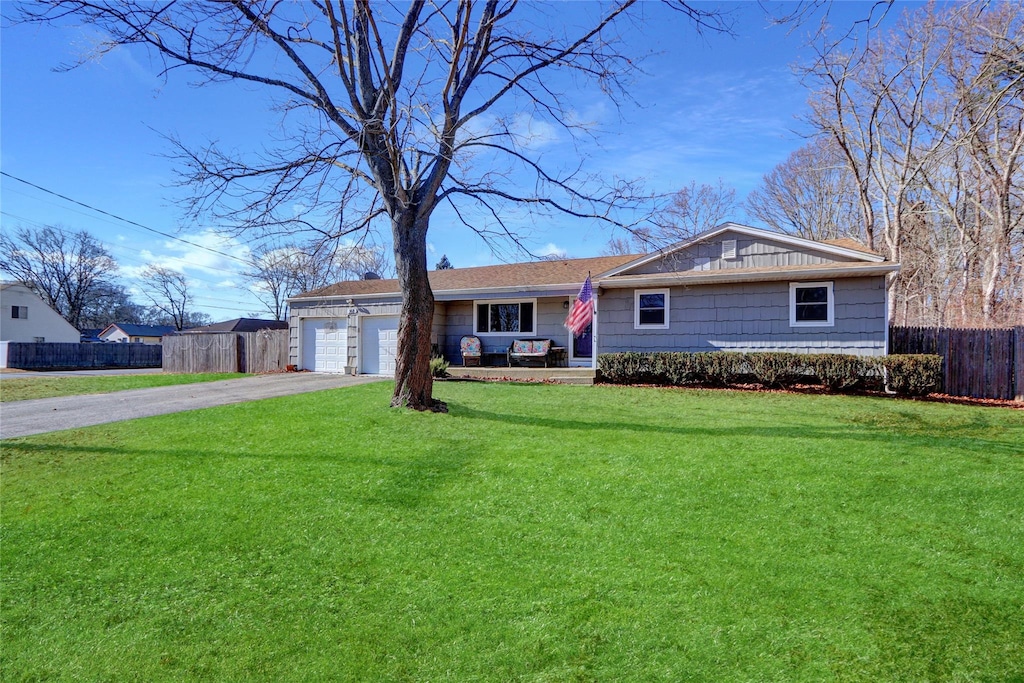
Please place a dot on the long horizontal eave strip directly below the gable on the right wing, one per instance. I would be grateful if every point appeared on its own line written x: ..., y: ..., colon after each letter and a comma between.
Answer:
x: 739, y: 276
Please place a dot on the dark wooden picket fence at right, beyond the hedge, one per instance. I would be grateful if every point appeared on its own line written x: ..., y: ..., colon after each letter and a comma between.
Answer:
x: 980, y: 364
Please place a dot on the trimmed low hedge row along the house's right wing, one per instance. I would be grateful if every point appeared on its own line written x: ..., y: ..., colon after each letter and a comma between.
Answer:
x: 909, y: 375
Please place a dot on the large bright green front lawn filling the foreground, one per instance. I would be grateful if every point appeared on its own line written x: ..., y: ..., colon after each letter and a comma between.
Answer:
x: 536, y: 533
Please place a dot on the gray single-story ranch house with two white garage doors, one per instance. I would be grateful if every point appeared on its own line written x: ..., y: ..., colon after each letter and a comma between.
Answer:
x: 733, y: 288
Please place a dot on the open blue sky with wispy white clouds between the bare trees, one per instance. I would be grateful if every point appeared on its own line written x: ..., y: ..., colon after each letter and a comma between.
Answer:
x: 706, y: 108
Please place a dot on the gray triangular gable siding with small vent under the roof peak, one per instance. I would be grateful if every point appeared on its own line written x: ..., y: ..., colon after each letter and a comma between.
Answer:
x: 752, y: 253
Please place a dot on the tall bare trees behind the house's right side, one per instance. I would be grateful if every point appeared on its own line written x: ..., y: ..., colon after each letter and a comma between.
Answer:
x: 915, y: 150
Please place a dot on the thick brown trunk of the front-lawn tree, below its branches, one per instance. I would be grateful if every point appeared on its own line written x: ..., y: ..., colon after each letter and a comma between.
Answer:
x: 413, y: 382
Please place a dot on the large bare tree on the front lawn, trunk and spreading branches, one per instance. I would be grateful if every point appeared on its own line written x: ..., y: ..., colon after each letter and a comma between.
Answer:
x: 419, y: 103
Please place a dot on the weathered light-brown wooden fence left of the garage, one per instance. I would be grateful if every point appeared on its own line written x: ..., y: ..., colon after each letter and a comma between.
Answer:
x: 263, y: 352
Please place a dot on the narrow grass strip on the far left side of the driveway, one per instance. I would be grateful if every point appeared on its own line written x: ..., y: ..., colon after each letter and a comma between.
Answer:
x: 18, y: 389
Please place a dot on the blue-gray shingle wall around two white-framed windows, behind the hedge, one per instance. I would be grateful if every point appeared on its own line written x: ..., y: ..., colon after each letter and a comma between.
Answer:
x: 748, y: 318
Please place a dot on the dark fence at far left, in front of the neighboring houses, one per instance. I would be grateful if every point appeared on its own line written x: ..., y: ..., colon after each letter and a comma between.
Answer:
x: 51, y: 356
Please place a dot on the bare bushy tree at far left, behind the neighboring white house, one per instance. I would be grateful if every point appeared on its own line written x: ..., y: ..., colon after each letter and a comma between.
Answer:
x: 69, y: 271
